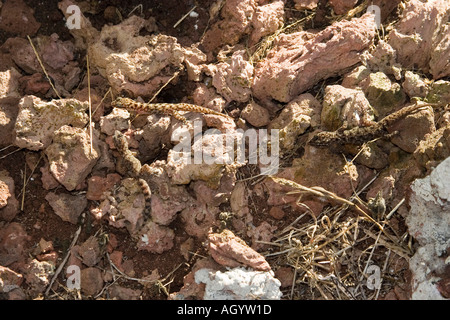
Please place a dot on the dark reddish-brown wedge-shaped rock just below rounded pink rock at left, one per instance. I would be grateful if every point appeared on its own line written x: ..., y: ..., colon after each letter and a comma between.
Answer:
x: 66, y: 206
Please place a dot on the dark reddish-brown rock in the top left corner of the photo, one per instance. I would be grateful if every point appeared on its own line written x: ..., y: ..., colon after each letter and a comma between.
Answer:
x: 18, y: 19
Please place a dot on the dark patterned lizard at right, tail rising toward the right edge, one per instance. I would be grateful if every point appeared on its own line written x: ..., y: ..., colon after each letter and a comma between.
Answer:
x: 359, y: 135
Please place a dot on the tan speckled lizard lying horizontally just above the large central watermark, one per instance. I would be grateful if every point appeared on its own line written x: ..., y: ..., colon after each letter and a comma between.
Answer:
x: 171, y: 109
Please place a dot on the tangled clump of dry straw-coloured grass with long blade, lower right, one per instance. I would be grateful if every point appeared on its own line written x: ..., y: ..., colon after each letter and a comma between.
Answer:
x: 328, y: 253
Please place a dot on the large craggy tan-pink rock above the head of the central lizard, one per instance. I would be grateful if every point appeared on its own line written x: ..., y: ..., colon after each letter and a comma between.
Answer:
x: 139, y: 69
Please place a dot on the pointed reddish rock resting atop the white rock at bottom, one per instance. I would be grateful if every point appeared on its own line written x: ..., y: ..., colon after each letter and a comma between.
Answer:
x: 231, y: 251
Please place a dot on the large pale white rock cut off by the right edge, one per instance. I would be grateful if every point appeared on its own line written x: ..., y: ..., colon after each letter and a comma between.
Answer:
x: 428, y: 221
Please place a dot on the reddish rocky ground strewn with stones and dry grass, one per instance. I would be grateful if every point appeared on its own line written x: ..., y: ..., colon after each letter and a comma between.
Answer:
x: 339, y: 221
